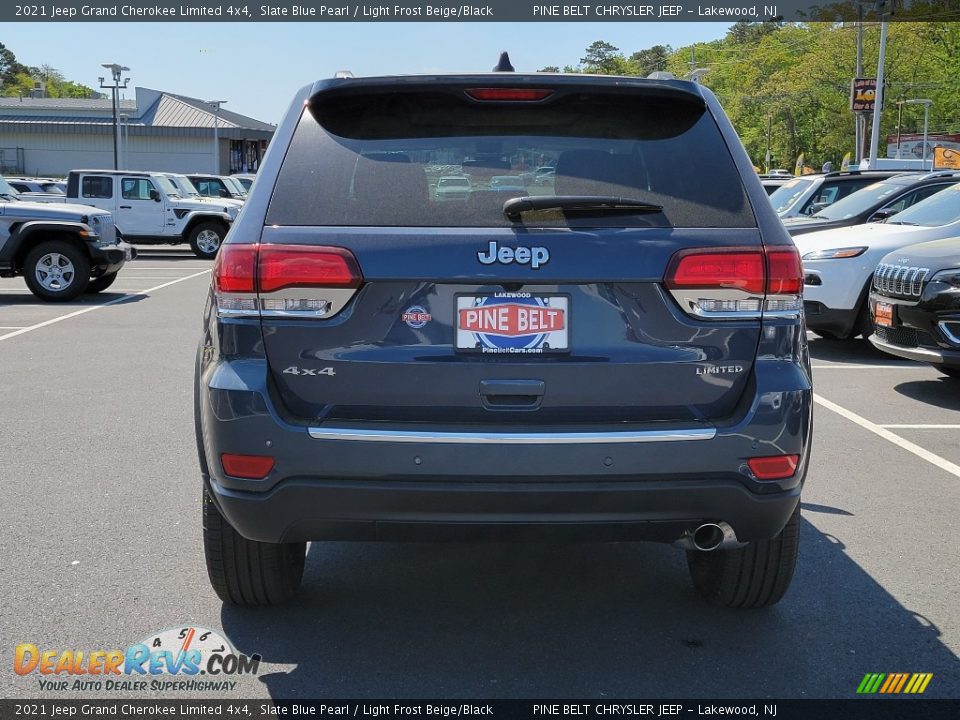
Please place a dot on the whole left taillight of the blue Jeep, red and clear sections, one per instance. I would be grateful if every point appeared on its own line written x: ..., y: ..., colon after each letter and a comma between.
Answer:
x: 284, y: 280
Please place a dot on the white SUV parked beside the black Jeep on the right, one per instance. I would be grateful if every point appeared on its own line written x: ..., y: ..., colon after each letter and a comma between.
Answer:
x: 838, y: 265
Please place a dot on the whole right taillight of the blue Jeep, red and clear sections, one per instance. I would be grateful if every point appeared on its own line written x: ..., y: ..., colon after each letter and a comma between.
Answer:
x: 737, y: 282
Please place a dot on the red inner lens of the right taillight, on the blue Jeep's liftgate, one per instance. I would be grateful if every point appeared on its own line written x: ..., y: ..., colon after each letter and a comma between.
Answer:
x: 723, y: 268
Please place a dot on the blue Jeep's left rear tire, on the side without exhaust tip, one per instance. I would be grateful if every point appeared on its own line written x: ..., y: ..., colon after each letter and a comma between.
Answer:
x: 247, y: 572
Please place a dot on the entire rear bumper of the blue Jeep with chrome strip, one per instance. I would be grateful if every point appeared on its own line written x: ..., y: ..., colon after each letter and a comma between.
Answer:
x: 599, y: 484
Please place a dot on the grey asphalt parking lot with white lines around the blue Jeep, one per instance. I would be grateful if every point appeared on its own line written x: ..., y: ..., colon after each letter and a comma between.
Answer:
x: 101, y: 541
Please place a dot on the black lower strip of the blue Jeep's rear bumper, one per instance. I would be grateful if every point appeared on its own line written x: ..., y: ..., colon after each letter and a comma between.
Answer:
x: 305, y: 509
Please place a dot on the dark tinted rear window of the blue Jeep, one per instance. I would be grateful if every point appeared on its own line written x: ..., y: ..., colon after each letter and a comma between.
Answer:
x: 376, y: 159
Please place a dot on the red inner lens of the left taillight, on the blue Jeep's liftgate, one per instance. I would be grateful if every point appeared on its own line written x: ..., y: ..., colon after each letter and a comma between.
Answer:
x: 284, y: 266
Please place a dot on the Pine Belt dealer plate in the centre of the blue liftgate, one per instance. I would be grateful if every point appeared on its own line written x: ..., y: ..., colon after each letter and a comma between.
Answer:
x: 513, y: 323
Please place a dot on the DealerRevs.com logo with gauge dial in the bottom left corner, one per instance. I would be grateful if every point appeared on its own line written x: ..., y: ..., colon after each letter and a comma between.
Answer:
x: 179, y: 659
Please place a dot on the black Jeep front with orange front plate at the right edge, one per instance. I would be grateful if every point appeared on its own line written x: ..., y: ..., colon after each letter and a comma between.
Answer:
x: 915, y: 304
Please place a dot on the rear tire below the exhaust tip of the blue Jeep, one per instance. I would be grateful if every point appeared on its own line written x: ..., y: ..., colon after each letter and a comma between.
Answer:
x: 754, y: 576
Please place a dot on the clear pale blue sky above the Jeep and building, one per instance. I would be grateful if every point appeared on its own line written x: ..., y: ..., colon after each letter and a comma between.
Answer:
x: 257, y: 67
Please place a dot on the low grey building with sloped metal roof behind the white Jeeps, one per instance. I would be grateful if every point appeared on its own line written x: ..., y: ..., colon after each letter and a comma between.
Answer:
x: 158, y: 131
